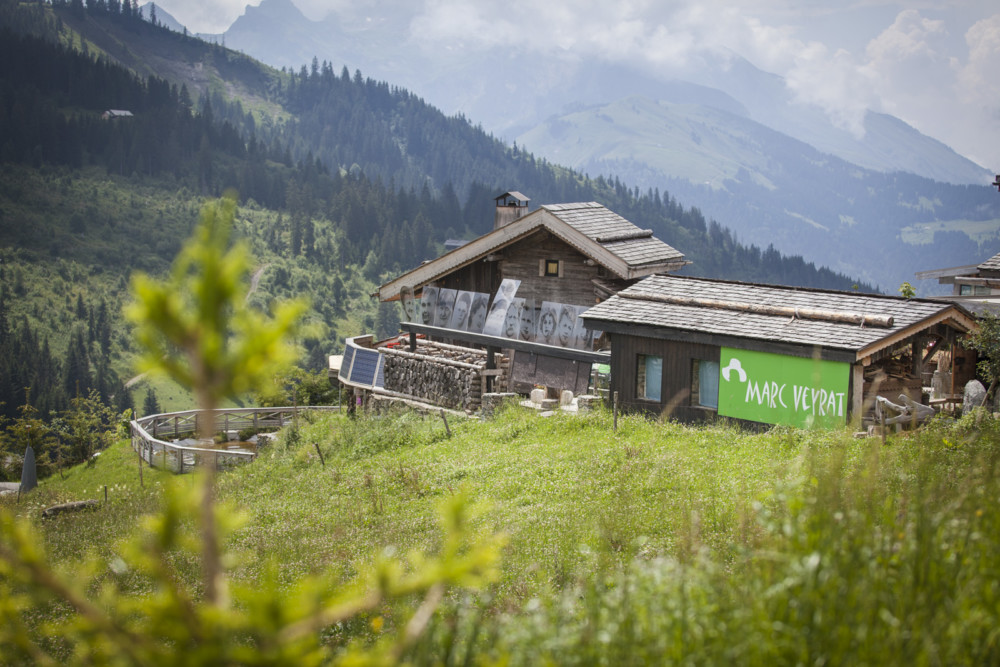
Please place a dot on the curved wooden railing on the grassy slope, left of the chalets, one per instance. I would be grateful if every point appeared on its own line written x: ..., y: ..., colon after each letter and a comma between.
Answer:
x: 148, y: 431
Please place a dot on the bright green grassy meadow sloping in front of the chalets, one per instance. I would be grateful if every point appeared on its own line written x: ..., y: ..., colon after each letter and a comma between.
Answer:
x: 655, y: 543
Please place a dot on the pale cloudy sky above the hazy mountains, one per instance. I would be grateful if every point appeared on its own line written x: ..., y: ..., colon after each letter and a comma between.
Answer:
x: 936, y: 65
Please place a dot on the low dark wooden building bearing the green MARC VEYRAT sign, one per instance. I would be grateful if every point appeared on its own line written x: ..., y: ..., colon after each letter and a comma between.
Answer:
x: 692, y: 349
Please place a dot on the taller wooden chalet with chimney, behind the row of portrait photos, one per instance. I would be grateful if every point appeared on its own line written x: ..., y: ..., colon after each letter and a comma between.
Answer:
x: 566, y: 255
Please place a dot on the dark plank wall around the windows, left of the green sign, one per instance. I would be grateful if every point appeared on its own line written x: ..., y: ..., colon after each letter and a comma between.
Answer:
x: 675, y: 395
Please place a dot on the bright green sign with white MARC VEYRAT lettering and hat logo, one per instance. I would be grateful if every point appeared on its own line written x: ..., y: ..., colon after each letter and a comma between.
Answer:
x: 779, y: 389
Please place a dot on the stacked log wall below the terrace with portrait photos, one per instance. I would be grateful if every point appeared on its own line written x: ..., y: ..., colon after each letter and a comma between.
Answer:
x: 446, y: 375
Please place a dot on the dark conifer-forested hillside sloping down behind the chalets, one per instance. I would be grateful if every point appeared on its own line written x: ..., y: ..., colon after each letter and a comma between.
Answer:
x: 342, y: 182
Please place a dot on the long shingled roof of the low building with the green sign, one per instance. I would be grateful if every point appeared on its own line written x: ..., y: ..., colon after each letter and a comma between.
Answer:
x: 673, y: 307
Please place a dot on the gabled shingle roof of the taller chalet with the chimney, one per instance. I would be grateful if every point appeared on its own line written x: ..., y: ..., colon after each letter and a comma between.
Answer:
x: 596, y: 232
